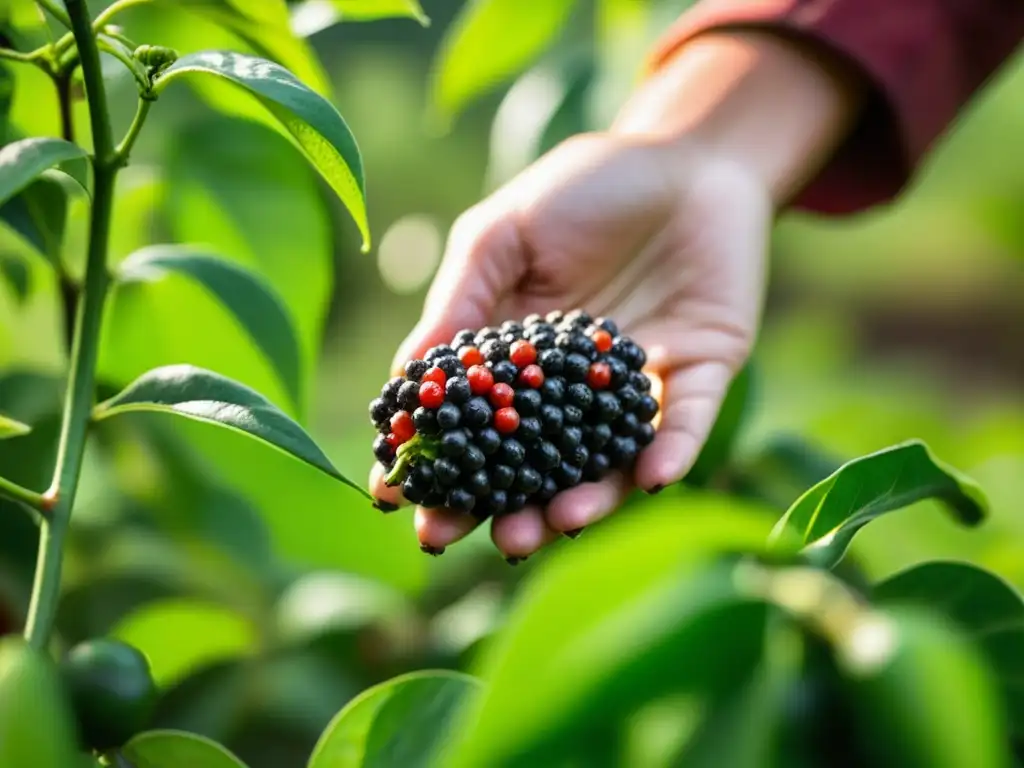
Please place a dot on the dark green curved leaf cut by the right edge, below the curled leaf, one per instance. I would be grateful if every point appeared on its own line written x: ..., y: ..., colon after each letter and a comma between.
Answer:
x: 988, y: 610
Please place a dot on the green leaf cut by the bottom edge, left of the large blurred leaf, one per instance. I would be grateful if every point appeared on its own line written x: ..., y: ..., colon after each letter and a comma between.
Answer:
x: 401, y: 722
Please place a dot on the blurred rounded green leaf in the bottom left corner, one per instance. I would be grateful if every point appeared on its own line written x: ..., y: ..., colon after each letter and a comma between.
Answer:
x: 36, y: 723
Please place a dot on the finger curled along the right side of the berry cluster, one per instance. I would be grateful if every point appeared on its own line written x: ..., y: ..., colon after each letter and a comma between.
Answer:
x: 693, y: 399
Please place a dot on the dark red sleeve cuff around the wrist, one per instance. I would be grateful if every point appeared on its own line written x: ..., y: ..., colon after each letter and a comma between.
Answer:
x: 923, y: 59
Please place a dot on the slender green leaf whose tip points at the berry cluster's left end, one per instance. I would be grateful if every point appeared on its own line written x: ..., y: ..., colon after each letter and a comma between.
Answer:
x: 207, y: 397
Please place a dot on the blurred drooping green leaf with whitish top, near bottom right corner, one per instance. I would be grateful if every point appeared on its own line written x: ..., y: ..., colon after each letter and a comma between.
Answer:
x: 921, y: 696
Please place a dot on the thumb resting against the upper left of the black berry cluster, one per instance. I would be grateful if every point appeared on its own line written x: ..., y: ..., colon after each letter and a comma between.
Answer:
x: 484, y: 261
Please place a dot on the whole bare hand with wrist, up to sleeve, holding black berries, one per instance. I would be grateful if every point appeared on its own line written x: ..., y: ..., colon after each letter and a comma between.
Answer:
x: 661, y: 224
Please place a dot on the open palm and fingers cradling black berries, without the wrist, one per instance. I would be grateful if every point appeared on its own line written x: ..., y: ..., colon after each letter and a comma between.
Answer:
x: 667, y: 241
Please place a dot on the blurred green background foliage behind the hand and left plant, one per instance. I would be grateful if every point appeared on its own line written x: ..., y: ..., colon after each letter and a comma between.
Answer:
x: 268, y: 595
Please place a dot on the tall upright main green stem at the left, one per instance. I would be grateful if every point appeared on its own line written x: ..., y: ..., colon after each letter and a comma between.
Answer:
x: 86, y: 348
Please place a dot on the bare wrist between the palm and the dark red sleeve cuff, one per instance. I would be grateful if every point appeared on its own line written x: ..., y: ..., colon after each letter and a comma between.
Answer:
x: 753, y: 100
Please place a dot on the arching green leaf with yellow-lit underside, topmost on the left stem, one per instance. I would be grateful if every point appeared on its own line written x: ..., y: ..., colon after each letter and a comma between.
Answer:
x: 313, y: 122
